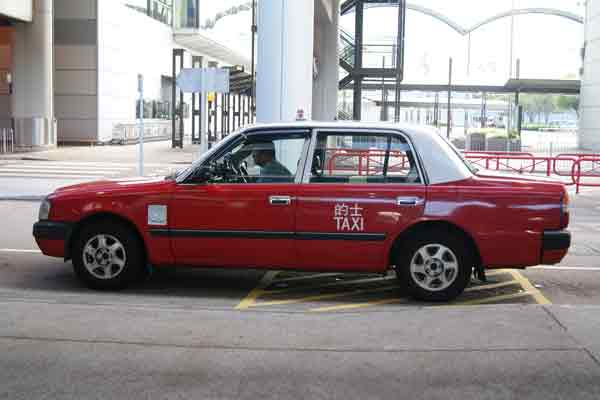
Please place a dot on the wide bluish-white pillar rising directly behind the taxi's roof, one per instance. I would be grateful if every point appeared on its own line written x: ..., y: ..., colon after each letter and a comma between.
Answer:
x: 284, y: 71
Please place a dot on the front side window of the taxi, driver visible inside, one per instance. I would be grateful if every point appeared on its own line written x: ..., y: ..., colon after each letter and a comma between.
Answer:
x: 259, y: 159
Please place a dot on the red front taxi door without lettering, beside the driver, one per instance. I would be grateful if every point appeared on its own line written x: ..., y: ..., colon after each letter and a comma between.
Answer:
x: 243, y: 223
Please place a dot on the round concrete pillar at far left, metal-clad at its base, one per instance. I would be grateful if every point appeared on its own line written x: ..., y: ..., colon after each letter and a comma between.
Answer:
x: 32, y: 99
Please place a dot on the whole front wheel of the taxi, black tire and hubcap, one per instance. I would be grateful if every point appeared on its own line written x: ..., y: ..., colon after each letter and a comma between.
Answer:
x: 108, y: 256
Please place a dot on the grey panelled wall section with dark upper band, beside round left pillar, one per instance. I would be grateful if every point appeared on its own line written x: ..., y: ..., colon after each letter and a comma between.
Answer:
x: 75, y: 78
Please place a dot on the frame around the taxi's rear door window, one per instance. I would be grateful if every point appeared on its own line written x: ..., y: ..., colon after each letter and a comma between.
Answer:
x: 388, y: 133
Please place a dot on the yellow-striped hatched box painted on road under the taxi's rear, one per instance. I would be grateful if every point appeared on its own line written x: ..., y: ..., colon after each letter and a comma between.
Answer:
x: 306, y: 291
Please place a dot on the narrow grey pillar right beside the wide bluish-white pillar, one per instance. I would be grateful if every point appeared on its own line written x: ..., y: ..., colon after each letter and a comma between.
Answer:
x: 325, y: 86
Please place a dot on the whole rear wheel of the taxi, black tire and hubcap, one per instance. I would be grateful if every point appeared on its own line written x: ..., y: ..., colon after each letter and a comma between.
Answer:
x: 435, y: 266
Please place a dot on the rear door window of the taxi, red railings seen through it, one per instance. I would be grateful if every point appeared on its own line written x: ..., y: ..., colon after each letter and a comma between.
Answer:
x: 363, y: 159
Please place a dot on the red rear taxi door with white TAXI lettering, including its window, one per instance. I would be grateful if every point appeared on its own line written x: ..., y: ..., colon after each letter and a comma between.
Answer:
x: 359, y: 190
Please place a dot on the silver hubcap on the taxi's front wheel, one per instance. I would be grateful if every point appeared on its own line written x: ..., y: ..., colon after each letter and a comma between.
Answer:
x: 104, y: 256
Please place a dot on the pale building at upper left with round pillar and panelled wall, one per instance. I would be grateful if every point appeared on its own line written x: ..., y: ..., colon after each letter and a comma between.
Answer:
x: 69, y: 68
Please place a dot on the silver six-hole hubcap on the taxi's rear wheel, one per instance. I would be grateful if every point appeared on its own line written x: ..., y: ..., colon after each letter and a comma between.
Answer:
x: 434, y: 267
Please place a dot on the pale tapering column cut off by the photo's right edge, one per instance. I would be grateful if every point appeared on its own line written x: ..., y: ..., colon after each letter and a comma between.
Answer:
x: 589, y: 125
